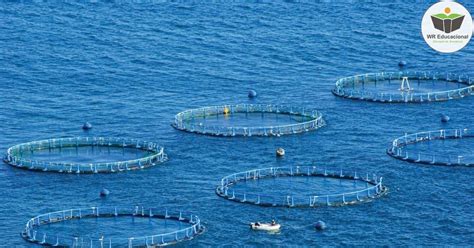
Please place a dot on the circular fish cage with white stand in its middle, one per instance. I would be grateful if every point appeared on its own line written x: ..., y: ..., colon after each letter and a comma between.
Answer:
x: 405, y: 87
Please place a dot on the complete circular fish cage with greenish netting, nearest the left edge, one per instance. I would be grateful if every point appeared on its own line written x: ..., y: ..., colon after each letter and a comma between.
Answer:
x: 30, y: 155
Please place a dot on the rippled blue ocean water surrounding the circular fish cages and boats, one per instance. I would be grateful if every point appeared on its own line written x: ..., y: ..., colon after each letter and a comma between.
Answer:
x: 129, y: 67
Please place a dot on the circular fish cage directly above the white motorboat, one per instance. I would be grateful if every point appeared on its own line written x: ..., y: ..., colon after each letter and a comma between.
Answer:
x: 268, y: 188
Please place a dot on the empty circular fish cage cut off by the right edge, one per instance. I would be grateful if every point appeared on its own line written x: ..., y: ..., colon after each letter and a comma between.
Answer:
x: 419, y: 147
